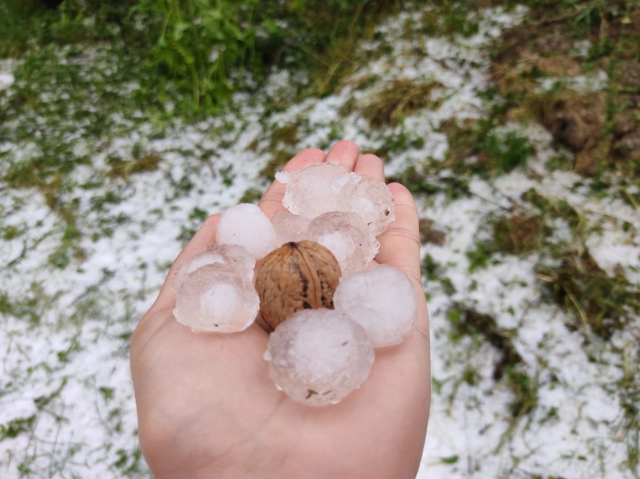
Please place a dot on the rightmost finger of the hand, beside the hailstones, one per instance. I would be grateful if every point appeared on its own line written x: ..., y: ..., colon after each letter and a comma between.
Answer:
x: 400, y: 243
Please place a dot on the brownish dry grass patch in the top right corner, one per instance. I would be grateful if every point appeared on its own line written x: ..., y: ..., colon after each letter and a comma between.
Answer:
x: 600, y: 128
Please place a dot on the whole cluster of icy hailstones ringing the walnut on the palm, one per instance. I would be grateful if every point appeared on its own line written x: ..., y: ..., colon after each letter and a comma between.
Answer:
x: 316, y: 356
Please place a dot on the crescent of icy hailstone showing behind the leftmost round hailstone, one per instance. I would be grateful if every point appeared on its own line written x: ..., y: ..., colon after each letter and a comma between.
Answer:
x: 233, y: 255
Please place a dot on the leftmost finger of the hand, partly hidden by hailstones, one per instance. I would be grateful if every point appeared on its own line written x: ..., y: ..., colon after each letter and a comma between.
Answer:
x: 203, y: 237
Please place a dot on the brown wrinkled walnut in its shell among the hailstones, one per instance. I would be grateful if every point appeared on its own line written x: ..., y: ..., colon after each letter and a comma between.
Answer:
x: 296, y: 276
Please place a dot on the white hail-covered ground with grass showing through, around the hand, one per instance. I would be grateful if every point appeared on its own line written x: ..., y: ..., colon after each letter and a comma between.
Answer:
x: 68, y: 306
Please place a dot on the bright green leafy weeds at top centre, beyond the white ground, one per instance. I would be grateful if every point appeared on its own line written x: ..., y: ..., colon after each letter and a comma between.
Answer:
x: 206, y: 47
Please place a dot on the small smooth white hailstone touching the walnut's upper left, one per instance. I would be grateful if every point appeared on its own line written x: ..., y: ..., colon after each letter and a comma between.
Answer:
x: 246, y: 225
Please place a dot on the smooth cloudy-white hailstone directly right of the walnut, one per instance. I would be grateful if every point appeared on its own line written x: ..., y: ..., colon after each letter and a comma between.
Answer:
x: 382, y: 300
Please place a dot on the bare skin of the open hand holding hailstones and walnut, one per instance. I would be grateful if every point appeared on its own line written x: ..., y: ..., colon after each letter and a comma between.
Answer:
x: 208, y: 409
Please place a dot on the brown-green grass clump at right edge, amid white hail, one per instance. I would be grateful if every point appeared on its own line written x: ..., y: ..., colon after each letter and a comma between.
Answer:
x: 568, y: 275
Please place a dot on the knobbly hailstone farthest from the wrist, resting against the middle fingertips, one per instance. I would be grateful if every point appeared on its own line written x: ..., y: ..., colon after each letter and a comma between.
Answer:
x: 312, y: 190
